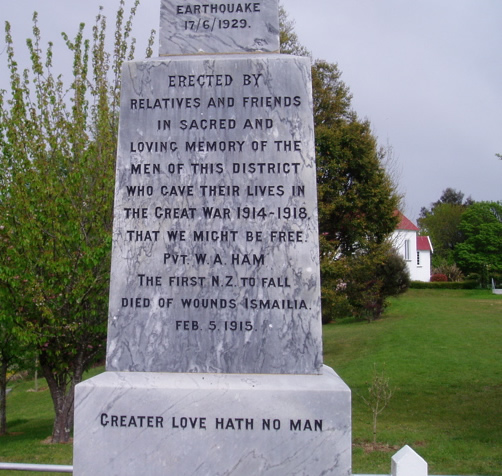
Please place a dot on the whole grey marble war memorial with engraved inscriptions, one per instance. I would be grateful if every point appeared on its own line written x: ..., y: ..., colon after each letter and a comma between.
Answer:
x: 214, y: 354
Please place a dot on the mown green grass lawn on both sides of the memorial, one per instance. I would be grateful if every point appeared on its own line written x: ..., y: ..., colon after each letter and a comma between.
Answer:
x: 442, y: 351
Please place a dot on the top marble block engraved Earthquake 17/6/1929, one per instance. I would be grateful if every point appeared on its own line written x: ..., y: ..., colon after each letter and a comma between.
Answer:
x: 218, y: 26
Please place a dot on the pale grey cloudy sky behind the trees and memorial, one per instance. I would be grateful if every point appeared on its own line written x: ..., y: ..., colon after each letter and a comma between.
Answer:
x: 426, y: 74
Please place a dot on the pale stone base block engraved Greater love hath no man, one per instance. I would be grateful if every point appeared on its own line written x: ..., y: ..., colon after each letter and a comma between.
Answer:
x: 212, y: 424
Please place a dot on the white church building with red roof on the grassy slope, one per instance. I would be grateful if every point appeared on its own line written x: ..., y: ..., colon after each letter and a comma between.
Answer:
x: 416, y: 250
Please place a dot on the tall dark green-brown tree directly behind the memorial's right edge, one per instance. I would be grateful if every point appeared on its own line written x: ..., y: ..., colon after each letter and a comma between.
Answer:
x: 356, y: 197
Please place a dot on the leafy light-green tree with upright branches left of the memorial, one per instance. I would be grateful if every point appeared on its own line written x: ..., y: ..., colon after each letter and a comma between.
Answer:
x: 57, y: 165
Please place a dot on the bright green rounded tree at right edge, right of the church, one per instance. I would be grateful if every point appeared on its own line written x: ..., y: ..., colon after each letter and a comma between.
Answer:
x: 481, y: 251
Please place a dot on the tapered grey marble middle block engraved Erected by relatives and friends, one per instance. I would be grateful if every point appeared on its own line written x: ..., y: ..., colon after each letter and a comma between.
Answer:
x: 215, y: 262
